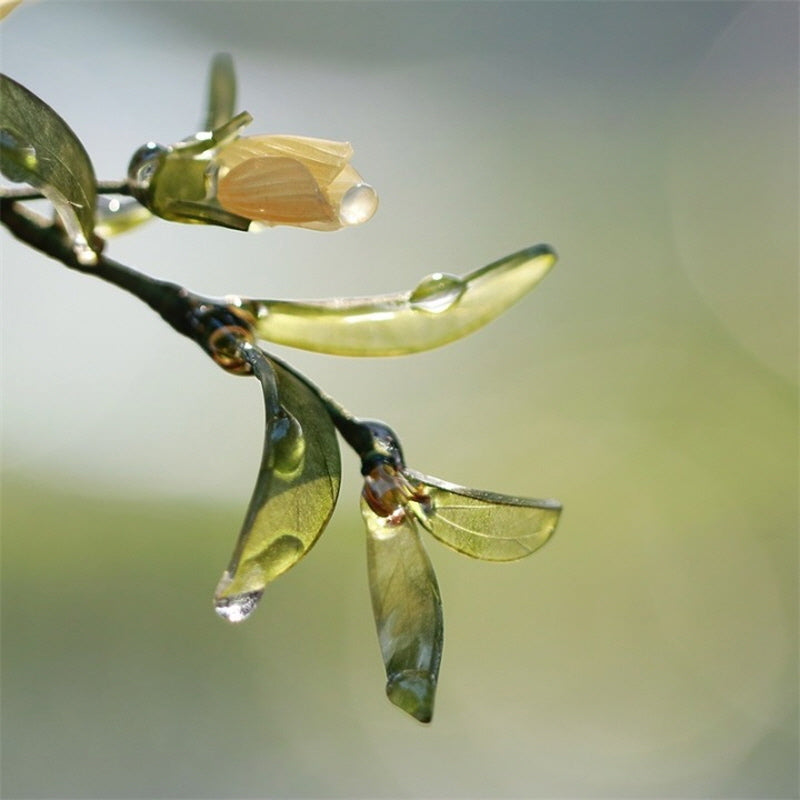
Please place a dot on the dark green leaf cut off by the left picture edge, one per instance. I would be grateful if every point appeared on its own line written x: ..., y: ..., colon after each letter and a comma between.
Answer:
x: 39, y: 148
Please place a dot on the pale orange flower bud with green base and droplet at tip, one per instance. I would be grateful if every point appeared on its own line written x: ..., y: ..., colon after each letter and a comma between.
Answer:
x: 219, y: 178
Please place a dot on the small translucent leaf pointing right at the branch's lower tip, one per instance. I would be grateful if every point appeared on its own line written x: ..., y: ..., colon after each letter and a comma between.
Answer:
x: 484, y: 525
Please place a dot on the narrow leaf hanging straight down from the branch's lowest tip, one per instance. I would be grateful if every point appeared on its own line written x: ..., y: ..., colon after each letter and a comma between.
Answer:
x: 407, y: 609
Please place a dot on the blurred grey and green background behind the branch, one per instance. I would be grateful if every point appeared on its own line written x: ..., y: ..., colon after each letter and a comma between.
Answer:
x: 650, y: 650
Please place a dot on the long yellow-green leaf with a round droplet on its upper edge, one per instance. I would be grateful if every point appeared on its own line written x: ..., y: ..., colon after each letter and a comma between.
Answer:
x: 441, y: 309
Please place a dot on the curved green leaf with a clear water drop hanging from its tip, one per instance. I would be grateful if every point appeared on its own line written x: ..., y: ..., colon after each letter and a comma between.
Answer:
x: 295, y: 492
